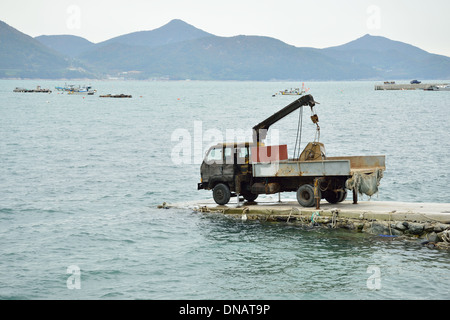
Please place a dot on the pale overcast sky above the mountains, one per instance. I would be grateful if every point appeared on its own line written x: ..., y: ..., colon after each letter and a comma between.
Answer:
x: 318, y: 23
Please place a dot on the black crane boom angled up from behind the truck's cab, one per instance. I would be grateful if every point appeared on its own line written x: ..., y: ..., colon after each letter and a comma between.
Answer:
x: 260, y: 130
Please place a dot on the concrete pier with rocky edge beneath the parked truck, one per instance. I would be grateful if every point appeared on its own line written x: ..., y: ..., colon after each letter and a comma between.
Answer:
x: 427, y: 221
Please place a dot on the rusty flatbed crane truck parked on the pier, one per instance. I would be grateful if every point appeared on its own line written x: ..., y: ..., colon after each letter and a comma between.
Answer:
x: 249, y: 169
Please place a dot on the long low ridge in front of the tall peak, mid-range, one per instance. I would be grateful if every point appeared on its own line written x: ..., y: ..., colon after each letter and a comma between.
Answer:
x: 224, y: 58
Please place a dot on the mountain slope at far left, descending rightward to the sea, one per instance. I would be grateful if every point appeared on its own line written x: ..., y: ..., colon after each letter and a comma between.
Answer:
x: 23, y: 56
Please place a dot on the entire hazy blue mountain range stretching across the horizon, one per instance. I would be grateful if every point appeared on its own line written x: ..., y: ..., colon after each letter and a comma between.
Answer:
x: 179, y: 50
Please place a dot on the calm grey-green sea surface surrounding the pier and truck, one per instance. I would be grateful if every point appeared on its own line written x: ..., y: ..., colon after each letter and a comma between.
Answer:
x: 80, y: 179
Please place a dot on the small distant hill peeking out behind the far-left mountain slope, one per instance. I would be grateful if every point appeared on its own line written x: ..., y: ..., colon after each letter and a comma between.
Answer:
x: 67, y: 45
